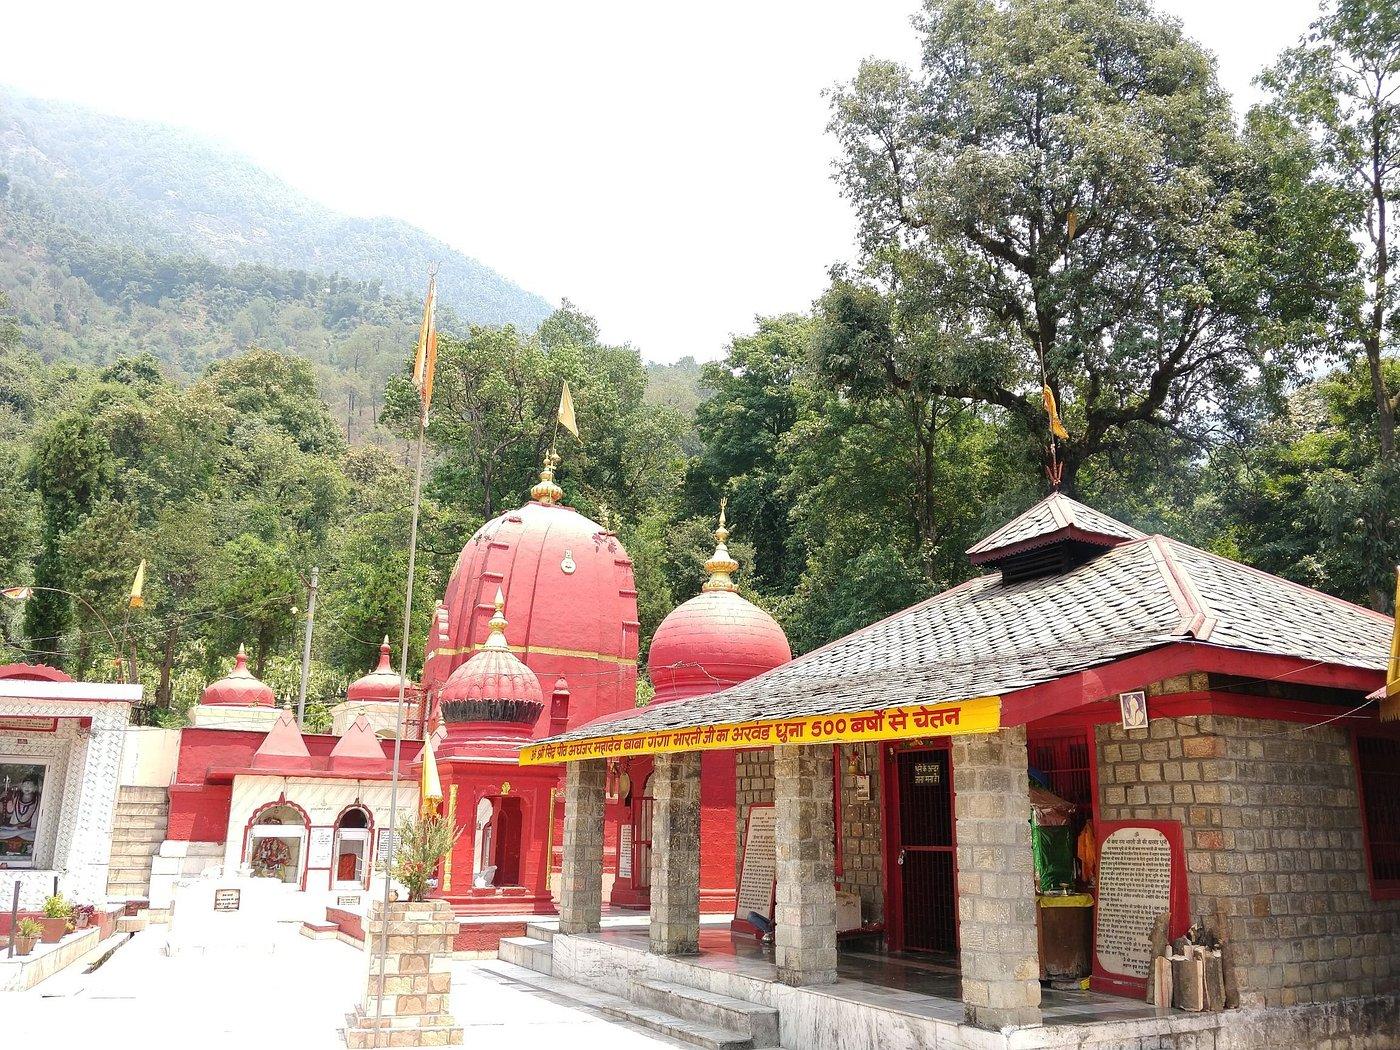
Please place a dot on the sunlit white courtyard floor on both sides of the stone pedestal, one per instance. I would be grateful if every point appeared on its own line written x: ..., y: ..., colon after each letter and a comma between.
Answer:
x: 295, y: 997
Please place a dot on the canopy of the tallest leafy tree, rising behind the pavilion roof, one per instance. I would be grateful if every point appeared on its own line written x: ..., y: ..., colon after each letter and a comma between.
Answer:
x: 1058, y: 192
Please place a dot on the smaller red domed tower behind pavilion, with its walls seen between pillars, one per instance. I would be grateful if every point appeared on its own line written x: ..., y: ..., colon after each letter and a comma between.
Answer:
x: 709, y: 643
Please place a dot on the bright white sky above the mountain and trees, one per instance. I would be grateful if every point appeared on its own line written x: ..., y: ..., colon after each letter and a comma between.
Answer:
x: 661, y: 164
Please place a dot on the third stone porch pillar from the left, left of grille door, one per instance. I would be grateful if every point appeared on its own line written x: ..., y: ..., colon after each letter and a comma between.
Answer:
x: 806, y: 934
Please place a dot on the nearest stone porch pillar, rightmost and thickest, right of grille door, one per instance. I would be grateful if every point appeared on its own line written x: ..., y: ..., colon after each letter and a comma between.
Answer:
x: 996, y: 880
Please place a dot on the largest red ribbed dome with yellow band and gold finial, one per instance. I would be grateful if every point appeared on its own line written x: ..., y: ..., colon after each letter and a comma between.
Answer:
x: 573, y: 604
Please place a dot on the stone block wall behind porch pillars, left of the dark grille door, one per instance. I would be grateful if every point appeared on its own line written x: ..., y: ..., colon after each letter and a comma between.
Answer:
x: 863, y: 828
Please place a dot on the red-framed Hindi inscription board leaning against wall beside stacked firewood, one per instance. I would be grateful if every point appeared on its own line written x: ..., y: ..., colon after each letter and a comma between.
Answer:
x: 1142, y: 874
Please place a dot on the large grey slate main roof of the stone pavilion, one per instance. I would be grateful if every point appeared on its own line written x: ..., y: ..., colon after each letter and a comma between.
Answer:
x: 990, y: 639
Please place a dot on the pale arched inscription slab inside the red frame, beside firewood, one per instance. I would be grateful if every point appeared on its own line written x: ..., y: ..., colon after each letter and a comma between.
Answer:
x: 1135, y: 888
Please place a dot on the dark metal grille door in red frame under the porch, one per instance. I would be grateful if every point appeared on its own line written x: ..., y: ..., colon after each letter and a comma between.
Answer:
x: 926, y: 856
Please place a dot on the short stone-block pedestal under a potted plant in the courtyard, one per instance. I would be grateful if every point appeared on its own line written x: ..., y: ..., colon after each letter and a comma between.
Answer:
x: 418, y: 979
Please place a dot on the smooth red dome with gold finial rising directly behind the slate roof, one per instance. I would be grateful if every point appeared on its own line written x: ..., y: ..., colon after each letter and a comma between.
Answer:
x: 717, y: 639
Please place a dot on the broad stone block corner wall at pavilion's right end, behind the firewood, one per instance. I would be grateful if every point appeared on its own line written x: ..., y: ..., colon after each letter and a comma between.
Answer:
x: 1272, y: 824
